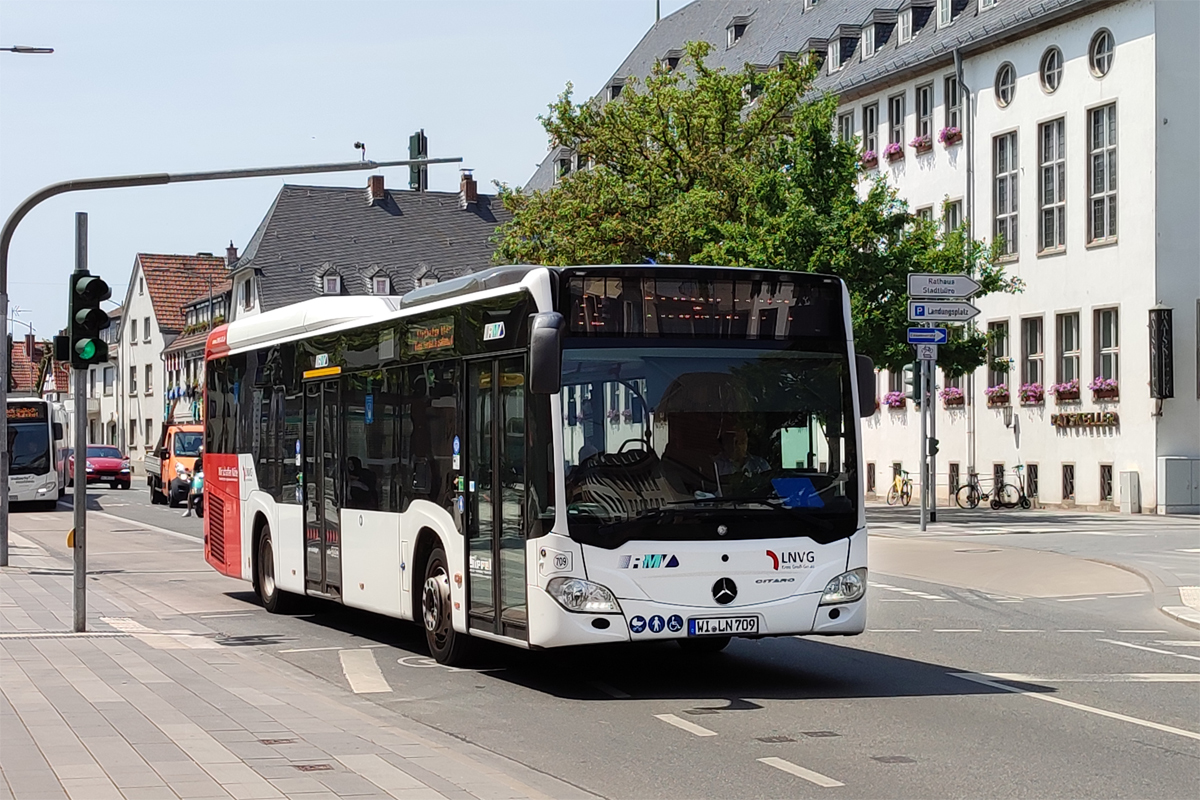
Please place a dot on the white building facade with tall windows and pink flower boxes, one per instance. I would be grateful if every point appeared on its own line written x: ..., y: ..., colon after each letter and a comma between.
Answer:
x: 1079, y: 151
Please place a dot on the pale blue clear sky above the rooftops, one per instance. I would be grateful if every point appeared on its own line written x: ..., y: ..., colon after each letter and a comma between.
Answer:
x: 171, y: 87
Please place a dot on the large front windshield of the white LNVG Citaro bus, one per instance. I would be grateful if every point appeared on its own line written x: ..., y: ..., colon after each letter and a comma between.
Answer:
x: 661, y: 443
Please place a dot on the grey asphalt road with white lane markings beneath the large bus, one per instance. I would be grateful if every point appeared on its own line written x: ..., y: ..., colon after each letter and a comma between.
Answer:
x: 953, y: 693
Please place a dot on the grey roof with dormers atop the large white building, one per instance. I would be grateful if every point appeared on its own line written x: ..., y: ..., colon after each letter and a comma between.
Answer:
x: 782, y: 28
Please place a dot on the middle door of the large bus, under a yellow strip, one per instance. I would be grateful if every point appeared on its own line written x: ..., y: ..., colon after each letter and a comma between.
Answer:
x: 323, y: 488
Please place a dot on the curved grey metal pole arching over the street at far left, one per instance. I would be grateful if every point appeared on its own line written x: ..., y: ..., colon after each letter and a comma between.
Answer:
x: 124, y: 182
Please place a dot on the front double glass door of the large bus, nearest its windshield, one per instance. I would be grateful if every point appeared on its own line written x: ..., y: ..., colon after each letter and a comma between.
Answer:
x: 495, y: 476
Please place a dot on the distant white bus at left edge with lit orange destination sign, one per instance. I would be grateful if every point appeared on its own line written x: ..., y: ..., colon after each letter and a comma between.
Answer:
x: 38, y: 456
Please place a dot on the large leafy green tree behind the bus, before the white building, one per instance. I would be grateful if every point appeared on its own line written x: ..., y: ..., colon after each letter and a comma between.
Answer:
x: 707, y: 166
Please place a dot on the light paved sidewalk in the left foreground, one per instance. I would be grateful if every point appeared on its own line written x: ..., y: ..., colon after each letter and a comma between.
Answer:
x: 149, y: 705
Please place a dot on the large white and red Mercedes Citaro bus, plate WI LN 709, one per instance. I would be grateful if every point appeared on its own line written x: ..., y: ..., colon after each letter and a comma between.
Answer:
x: 550, y: 456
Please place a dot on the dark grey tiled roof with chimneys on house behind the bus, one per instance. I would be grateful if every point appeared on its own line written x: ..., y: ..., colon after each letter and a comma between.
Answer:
x: 310, y: 231
